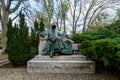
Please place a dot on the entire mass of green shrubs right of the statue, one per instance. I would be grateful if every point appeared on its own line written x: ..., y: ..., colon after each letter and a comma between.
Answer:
x: 103, y: 44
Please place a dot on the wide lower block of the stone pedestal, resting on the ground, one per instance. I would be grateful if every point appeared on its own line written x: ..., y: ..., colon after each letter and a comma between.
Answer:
x: 60, y: 66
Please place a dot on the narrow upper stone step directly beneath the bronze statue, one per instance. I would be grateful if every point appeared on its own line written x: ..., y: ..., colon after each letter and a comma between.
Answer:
x: 62, y: 57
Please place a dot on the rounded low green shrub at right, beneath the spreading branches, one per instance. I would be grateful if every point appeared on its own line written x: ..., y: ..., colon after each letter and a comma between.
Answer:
x: 105, y: 49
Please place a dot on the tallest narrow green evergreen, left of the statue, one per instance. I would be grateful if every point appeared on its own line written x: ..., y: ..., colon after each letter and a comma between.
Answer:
x: 23, y: 40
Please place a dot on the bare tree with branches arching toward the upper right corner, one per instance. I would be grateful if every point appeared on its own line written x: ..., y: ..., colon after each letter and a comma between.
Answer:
x: 97, y: 9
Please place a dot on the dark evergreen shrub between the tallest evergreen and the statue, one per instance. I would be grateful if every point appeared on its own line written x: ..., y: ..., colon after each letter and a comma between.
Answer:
x: 34, y: 38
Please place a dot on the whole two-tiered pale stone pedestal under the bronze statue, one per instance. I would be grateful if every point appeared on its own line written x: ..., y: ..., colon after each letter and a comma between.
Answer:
x: 61, y: 64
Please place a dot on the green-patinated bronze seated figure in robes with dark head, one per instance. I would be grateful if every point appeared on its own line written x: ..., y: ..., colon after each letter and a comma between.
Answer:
x: 56, y: 43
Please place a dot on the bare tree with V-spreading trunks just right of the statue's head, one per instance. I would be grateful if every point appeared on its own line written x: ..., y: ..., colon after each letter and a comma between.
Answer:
x: 75, y: 11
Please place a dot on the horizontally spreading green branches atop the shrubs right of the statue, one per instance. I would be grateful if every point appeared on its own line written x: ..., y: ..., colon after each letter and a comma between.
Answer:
x: 101, y: 34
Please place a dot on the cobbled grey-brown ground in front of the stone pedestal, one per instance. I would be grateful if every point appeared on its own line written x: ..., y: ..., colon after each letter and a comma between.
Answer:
x: 21, y: 74
